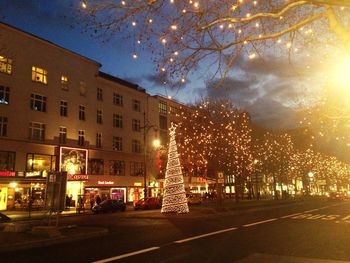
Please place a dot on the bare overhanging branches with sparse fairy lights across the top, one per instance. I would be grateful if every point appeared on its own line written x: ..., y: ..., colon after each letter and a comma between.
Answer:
x: 183, y: 35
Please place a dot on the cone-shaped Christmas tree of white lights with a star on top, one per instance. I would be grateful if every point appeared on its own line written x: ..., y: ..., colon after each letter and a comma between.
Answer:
x: 174, y: 199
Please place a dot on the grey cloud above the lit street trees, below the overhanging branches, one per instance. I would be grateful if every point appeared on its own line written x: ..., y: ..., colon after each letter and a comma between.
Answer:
x: 270, y: 90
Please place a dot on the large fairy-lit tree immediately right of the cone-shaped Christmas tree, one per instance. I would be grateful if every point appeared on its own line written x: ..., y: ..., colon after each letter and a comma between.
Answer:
x: 216, y: 136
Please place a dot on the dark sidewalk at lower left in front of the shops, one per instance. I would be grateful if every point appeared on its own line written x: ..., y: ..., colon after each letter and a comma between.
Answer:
x: 26, y: 230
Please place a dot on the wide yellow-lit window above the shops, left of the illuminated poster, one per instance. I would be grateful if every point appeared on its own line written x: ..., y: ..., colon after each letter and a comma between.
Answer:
x: 40, y: 163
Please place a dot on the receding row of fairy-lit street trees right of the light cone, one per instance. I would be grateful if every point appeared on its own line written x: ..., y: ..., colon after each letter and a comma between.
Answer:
x: 213, y: 137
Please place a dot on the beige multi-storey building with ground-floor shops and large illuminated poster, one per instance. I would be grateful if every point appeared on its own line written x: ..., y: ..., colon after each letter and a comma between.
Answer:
x: 58, y: 112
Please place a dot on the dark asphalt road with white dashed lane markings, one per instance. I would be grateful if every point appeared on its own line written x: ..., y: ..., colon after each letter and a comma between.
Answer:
x: 310, y: 231
